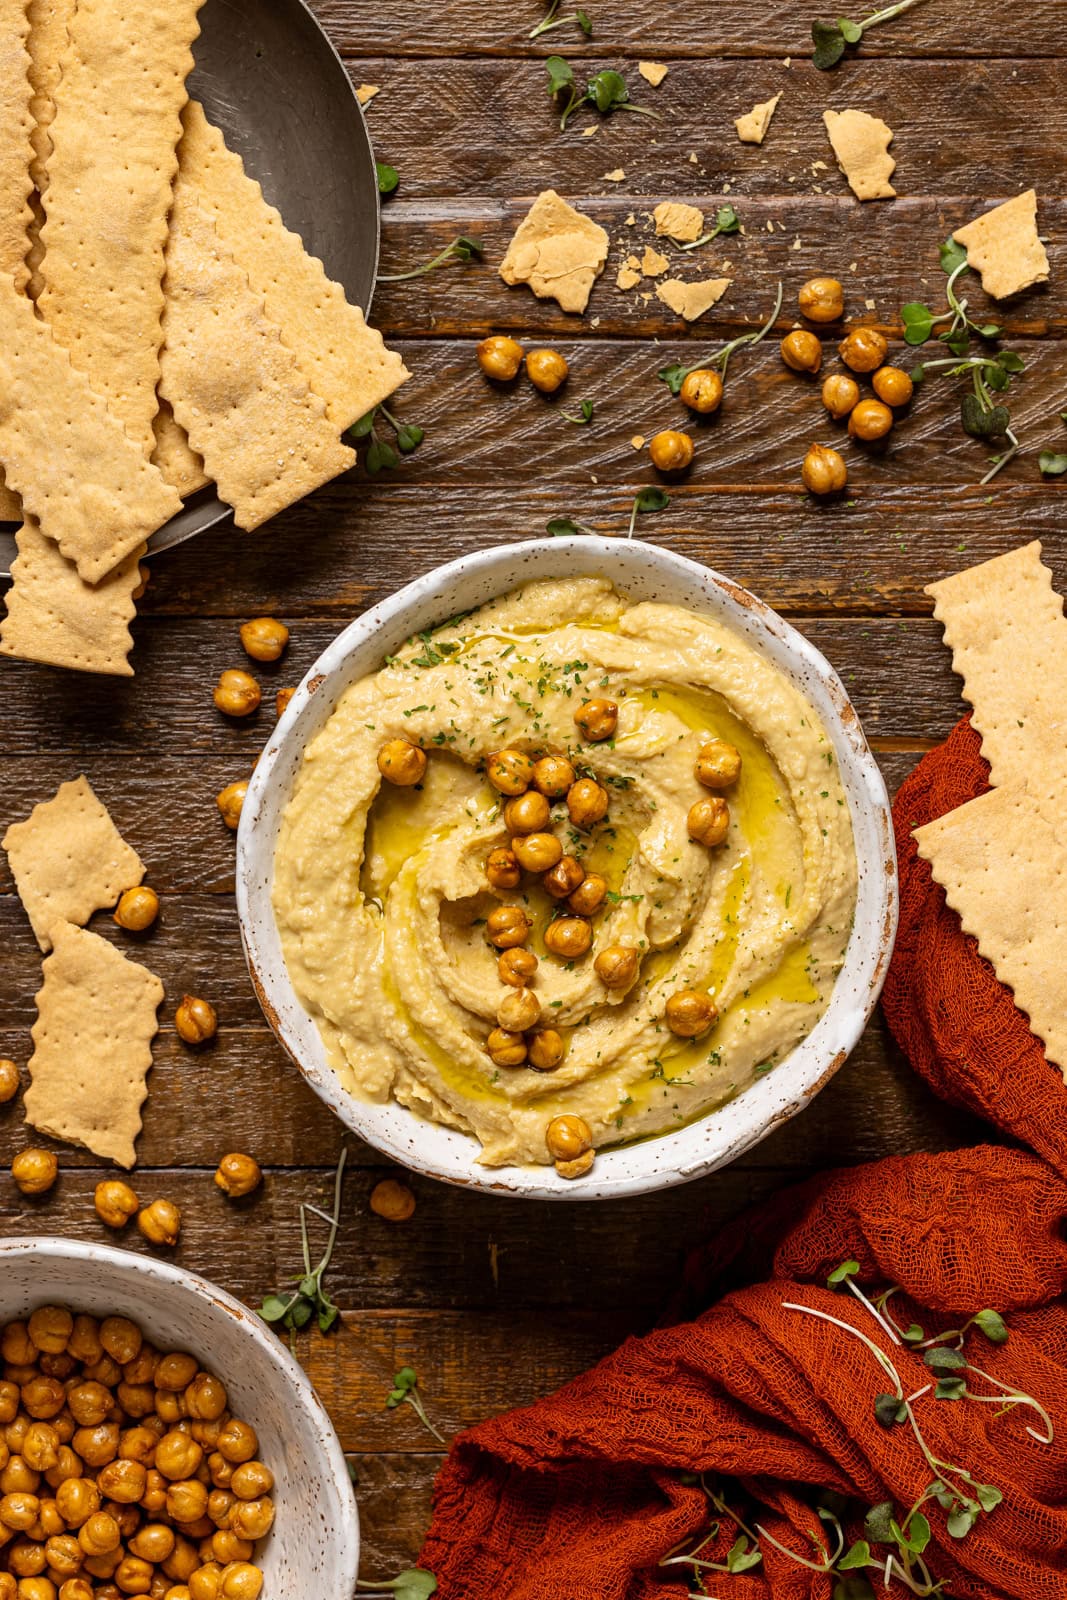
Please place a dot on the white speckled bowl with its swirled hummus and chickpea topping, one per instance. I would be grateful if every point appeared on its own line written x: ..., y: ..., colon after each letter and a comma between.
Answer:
x: 569, y: 873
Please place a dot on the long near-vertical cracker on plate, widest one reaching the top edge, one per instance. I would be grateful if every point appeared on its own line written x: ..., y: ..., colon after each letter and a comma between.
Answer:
x: 111, y: 170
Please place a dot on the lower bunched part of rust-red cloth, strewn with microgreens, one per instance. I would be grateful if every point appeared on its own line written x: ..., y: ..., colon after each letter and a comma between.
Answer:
x: 767, y: 1407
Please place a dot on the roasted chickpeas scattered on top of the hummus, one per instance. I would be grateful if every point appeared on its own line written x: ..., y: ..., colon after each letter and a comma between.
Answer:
x: 530, y: 786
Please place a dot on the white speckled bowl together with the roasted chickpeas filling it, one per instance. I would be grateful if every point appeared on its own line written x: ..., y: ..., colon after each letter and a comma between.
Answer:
x: 158, y: 1439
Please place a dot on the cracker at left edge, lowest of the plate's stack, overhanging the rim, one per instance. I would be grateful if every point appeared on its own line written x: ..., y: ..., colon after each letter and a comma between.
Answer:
x: 58, y: 620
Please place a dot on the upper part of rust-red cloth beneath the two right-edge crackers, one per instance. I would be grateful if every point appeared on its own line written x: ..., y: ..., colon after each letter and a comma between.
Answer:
x: 953, y: 1018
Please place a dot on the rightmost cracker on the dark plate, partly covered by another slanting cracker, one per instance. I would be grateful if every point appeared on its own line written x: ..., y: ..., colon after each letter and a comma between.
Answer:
x: 346, y: 361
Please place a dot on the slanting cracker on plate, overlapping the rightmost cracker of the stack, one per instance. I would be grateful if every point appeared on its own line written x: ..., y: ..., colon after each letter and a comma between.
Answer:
x: 234, y: 386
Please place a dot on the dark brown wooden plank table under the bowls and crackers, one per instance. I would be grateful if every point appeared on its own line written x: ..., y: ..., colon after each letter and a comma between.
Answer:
x: 494, y: 1302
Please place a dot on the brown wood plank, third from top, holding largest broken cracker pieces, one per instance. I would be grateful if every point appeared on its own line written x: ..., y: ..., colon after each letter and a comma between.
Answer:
x: 833, y: 228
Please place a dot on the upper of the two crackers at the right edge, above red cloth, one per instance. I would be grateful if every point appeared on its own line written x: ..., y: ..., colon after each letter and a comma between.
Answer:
x: 1005, y: 628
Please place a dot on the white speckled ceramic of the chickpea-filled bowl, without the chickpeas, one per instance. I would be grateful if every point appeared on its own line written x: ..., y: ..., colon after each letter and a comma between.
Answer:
x: 314, y: 1548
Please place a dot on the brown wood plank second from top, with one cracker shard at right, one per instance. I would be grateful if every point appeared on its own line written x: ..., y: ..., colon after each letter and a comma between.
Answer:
x: 473, y: 132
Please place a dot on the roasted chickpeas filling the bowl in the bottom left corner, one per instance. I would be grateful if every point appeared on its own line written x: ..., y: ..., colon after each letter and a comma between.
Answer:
x: 122, y: 1471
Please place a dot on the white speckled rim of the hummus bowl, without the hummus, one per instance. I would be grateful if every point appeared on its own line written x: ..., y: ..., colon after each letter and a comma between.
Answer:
x: 644, y: 572
